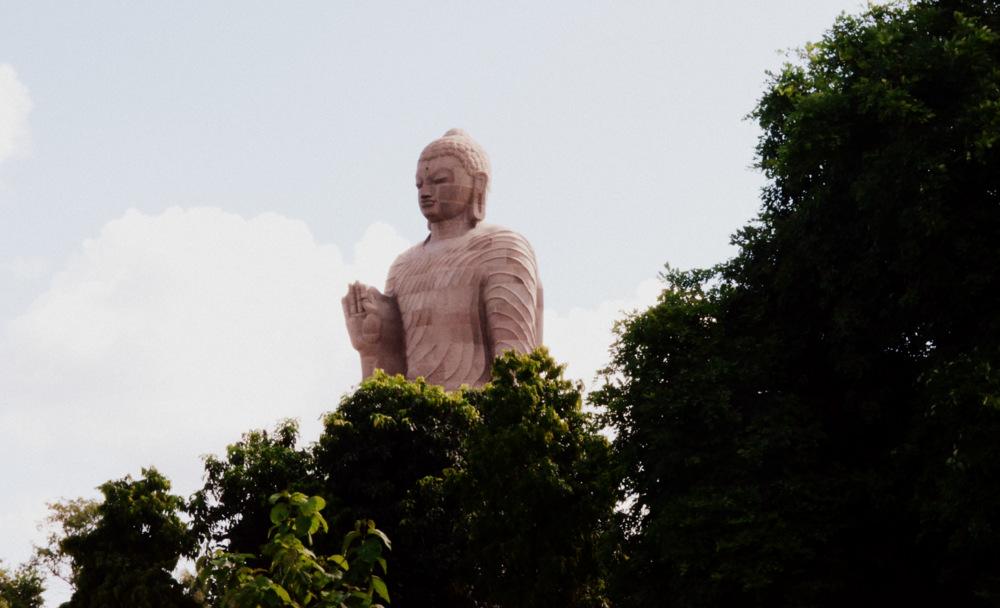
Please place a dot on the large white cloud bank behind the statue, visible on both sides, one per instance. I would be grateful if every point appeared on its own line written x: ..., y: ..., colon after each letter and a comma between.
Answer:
x: 166, y: 336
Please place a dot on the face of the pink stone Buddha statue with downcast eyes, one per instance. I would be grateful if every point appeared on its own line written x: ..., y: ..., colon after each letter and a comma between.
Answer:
x: 445, y: 189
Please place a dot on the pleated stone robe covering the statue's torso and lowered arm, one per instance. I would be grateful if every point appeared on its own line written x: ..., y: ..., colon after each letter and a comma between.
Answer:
x: 464, y: 301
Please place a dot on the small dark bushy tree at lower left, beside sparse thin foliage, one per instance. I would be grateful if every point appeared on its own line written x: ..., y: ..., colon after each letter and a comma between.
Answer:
x: 123, y: 554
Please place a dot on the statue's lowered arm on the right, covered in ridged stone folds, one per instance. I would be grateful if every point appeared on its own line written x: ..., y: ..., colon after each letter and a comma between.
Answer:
x: 512, y: 296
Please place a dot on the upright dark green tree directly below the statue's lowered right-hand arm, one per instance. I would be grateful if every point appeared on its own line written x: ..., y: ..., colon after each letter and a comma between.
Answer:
x: 537, y: 491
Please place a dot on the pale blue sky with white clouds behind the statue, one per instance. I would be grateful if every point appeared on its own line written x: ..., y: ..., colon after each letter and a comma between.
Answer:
x: 186, y: 189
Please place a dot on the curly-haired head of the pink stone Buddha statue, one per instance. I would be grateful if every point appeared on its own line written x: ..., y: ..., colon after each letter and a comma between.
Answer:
x: 453, y: 176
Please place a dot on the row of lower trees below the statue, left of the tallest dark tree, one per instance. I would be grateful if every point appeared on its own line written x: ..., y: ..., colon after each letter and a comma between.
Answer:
x: 496, y: 496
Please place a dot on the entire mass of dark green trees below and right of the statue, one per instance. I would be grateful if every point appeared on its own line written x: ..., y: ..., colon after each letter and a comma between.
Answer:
x: 812, y: 423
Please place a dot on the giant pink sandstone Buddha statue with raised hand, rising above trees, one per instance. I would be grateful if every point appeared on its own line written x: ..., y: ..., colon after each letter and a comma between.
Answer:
x: 456, y: 301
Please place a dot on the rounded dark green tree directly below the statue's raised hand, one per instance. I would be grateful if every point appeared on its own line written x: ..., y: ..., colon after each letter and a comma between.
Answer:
x: 383, y: 456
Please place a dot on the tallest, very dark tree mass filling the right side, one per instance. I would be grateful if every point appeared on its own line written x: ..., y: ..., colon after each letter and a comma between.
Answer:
x: 814, y: 421
